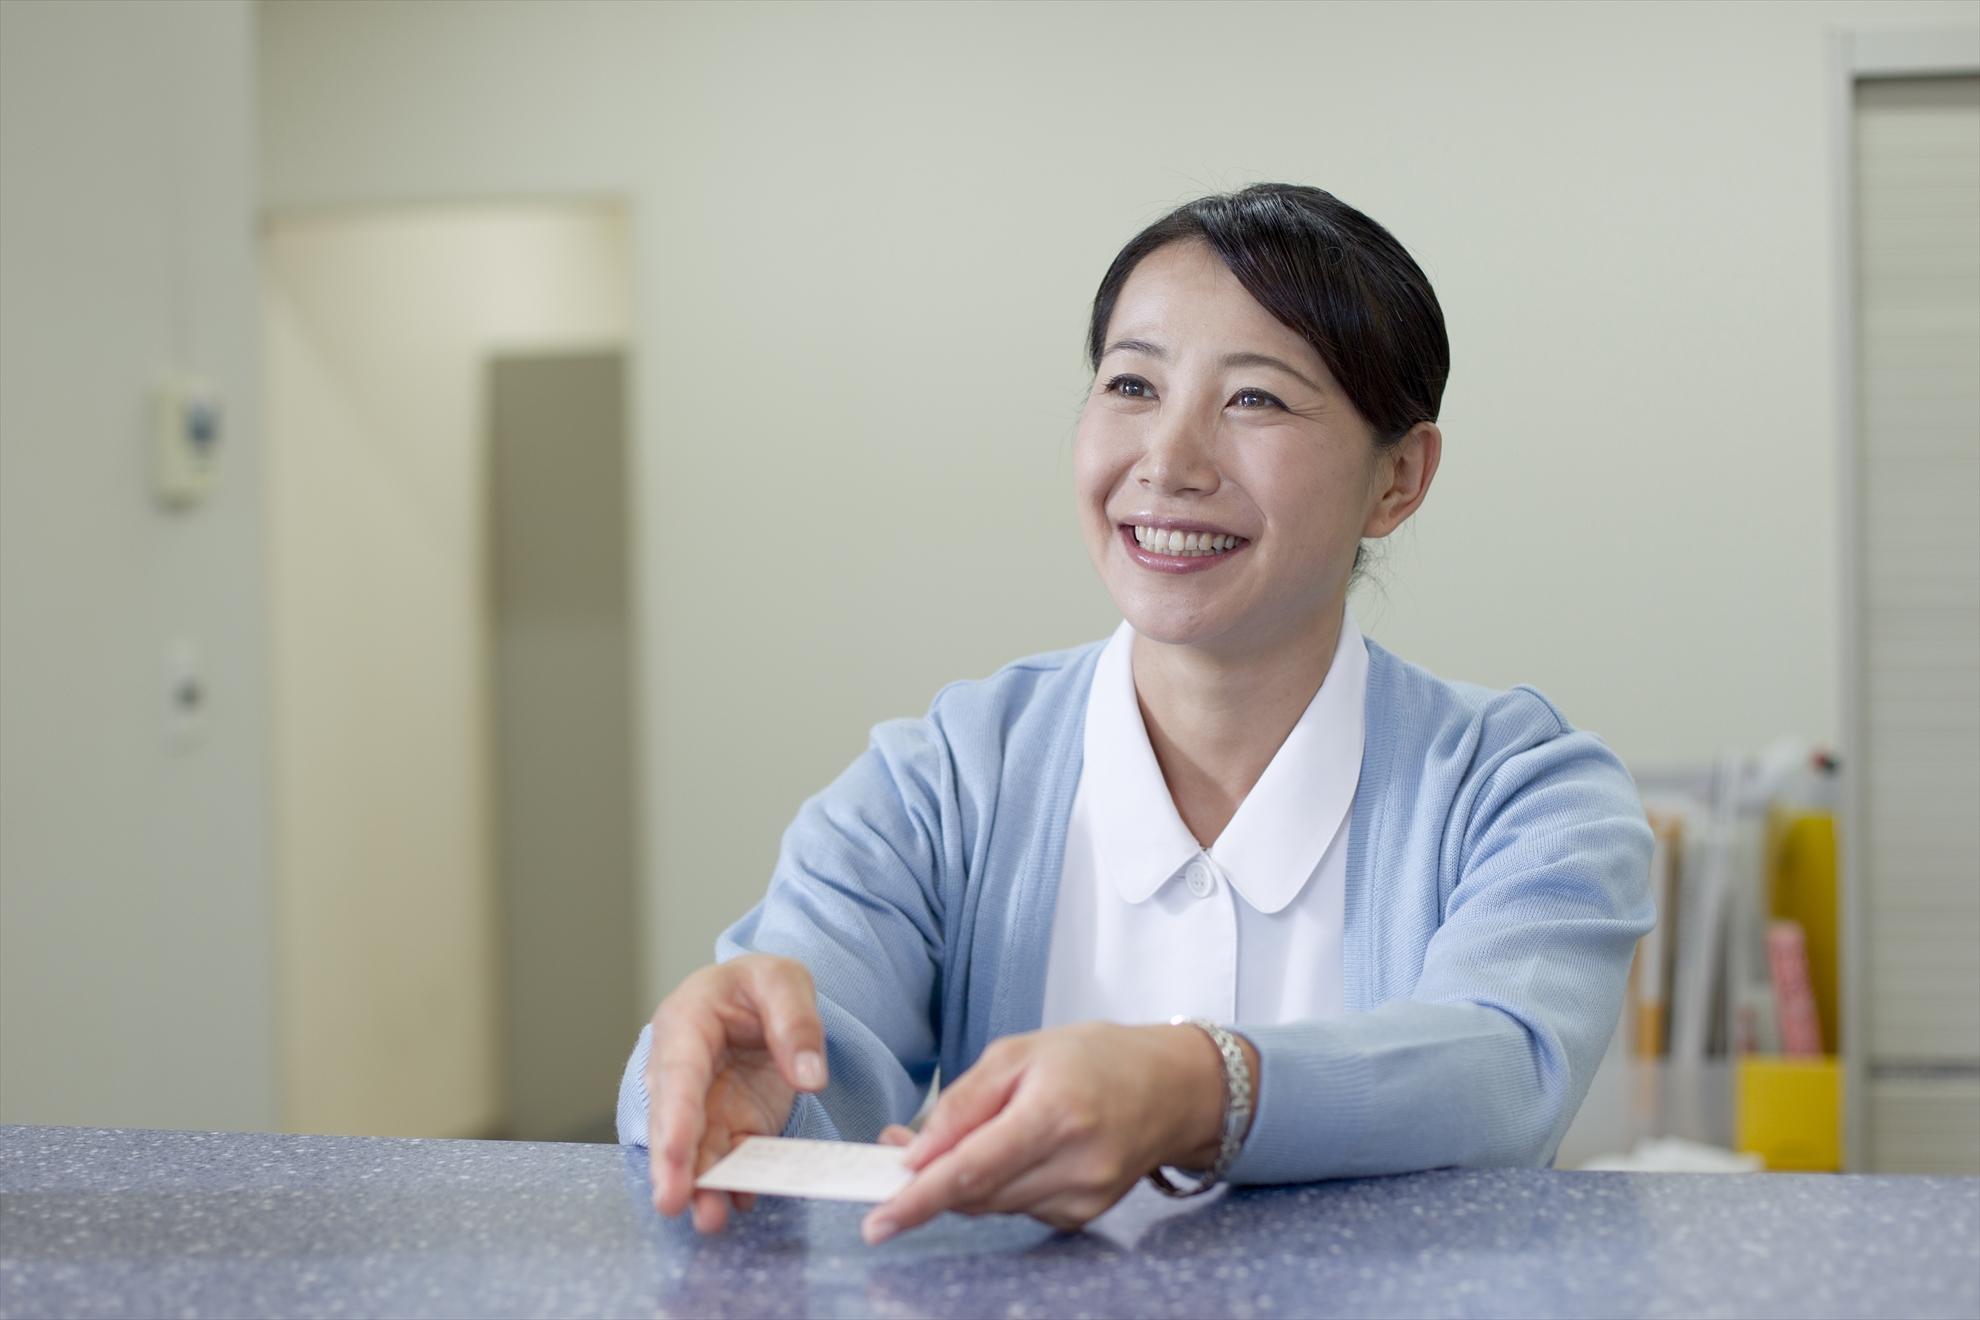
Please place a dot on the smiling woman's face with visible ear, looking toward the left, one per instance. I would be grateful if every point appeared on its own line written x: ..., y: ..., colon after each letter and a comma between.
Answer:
x: 1225, y: 480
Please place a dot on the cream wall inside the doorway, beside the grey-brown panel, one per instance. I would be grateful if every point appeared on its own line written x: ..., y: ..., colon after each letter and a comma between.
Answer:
x: 379, y: 331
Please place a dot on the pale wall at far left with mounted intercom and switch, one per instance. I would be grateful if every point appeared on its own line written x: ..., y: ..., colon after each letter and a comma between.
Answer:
x: 136, y: 973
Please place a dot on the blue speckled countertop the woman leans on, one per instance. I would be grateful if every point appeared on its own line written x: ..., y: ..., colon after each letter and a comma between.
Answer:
x: 191, y: 1224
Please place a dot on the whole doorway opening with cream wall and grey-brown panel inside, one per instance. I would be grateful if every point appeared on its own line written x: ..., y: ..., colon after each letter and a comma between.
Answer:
x: 452, y: 672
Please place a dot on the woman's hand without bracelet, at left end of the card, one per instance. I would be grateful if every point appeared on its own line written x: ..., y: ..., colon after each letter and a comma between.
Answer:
x: 732, y: 1050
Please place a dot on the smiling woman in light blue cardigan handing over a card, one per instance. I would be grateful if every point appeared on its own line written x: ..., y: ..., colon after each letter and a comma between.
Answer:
x: 1235, y: 892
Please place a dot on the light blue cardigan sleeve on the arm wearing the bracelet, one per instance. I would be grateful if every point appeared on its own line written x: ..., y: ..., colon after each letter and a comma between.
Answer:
x: 1522, y: 985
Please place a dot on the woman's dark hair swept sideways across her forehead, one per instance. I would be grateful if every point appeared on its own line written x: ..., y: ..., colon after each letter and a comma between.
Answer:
x: 1336, y: 278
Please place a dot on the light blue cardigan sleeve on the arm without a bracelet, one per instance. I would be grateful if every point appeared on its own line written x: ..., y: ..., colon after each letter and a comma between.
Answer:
x: 856, y: 899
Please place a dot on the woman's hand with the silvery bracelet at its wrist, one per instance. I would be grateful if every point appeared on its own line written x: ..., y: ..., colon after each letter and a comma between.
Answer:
x: 1058, y: 1125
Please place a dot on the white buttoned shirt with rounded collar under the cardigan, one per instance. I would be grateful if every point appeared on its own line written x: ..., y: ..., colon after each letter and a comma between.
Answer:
x: 1151, y: 925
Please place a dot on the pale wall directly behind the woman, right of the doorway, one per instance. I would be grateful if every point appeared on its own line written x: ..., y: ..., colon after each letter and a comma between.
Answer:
x: 866, y: 242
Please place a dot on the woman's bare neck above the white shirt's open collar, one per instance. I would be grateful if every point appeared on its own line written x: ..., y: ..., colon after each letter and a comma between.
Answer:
x: 1217, y: 721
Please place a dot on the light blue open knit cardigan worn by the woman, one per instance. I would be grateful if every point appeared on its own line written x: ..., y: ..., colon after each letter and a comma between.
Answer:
x: 1498, y: 882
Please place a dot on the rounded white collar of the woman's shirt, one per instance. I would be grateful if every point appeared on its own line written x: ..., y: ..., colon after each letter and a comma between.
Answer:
x: 1282, y: 828
